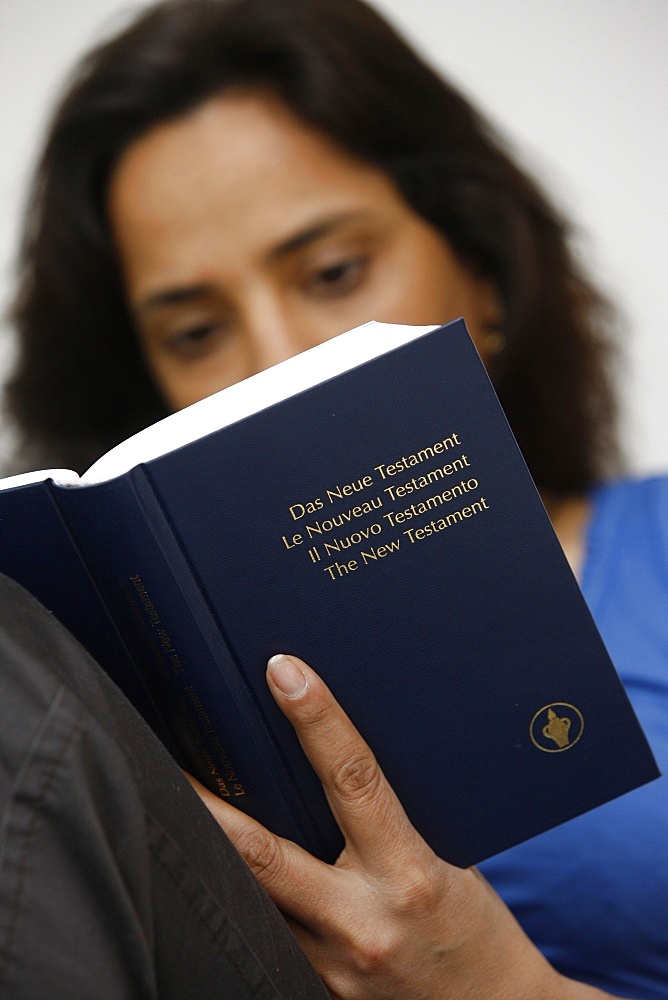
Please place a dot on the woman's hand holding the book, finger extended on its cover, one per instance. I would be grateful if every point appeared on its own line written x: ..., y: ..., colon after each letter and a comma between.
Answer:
x: 389, y: 919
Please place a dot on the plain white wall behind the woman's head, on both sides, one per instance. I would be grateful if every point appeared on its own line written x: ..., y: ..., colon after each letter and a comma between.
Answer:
x: 579, y: 85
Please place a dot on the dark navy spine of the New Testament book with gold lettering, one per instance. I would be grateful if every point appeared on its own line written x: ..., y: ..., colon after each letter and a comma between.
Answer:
x: 213, y: 717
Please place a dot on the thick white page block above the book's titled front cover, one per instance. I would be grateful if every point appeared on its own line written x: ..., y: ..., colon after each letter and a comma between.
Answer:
x: 253, y: 394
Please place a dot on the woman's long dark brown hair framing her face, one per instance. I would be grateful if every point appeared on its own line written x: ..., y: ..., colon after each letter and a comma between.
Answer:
x: 80, y: 383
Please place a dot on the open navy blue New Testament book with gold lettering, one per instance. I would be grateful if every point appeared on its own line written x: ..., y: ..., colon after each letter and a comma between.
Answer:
x: 363, y: 506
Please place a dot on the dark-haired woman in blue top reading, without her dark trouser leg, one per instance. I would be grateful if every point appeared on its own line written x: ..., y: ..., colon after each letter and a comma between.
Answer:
x: 227, y: 183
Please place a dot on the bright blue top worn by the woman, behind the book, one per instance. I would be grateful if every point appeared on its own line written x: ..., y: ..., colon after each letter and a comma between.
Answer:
x: 593, y: 893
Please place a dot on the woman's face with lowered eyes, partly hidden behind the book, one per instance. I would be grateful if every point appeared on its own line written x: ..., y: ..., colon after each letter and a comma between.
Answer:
x: 246, y: 237
